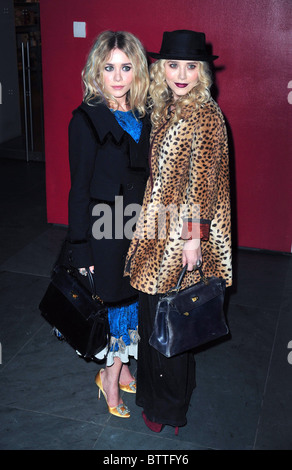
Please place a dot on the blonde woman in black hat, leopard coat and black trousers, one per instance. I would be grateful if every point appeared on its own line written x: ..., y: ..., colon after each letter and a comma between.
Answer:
x: 185, y: 218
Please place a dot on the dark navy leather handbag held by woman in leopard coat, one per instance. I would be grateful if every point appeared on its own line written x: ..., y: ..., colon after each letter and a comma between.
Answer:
x: 188, y: 318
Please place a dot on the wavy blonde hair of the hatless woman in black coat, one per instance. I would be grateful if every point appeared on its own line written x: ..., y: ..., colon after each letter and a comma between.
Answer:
x: 92, y: 74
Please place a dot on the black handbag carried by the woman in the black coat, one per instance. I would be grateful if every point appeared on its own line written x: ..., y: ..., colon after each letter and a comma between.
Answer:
x: 78, y: 314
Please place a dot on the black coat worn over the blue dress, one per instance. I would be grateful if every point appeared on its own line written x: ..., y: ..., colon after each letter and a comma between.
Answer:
x: 107, y: 167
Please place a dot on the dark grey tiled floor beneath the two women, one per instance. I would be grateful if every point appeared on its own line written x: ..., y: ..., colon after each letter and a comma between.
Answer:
x: 48, y: 398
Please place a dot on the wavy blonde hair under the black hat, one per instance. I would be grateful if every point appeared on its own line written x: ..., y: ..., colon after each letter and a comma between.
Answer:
x: 161, y: 96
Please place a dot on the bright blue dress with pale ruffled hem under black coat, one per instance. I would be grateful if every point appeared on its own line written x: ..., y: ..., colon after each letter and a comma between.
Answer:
x: 123, y: 319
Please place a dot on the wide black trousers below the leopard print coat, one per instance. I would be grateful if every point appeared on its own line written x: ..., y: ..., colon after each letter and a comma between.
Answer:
x: 164, y: 385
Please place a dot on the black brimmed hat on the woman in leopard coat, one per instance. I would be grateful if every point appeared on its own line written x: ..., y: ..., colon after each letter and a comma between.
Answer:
x: 183, y: 44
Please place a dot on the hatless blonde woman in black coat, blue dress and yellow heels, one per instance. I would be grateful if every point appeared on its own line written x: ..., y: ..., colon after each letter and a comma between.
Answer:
x: 108, y: 149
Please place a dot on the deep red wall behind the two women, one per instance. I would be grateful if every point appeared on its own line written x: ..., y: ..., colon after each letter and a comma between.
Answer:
x: 253, y: 41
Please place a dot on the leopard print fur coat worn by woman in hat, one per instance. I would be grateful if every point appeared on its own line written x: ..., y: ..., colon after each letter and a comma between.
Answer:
x: 187, y: 192
